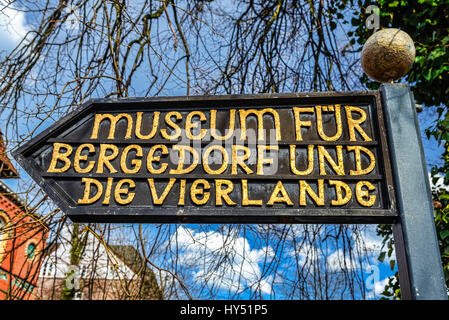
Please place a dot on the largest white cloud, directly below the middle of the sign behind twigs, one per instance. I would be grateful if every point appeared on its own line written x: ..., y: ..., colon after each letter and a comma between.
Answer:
x: 222, y: 260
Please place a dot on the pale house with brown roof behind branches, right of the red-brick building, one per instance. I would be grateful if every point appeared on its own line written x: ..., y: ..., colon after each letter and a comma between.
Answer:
x: 104, y: 271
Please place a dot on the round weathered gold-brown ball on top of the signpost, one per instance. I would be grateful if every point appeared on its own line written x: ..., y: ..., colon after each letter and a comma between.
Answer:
x: 388, y: 55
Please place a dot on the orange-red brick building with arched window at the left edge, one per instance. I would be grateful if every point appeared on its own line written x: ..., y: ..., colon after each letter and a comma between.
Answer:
x: 22, y: 239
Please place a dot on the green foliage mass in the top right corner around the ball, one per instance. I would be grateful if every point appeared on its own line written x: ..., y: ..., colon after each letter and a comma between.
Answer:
x: 427, y: 22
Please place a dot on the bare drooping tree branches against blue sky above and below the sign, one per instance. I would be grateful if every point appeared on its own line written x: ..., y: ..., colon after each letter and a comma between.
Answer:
x: 76, y: 50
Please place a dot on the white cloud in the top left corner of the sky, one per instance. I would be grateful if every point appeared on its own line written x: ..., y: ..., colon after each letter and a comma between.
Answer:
x: 12, y: 25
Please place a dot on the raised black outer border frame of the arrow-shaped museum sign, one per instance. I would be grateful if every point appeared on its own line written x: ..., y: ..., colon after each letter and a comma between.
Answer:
x: 214, y: 214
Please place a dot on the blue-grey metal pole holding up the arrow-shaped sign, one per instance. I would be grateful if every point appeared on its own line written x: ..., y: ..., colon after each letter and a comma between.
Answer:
x: 419, y: 261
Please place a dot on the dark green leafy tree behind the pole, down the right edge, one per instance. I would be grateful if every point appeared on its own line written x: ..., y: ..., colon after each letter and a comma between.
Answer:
x: 427, y: 22
